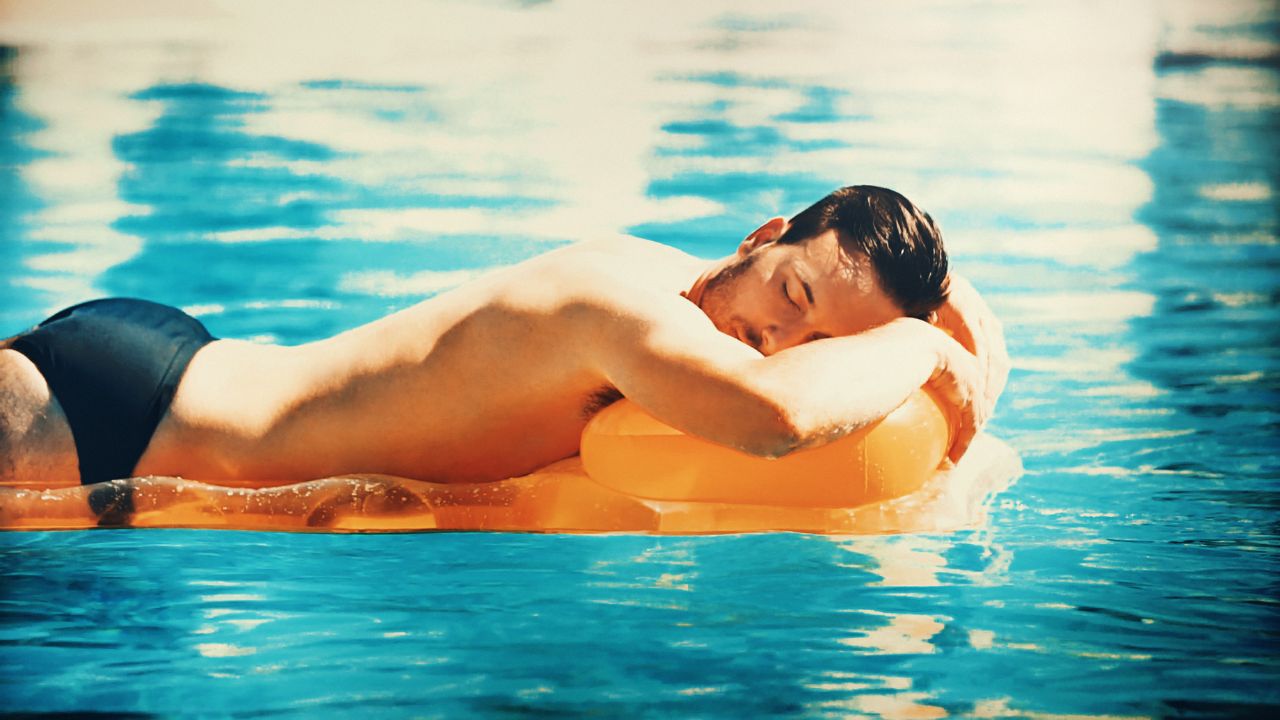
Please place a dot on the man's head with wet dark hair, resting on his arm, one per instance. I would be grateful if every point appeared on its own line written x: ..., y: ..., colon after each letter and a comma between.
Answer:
x: 857, y: 259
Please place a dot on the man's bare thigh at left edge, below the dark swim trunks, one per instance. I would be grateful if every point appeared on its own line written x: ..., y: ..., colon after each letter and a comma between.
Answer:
x: 36, y: 444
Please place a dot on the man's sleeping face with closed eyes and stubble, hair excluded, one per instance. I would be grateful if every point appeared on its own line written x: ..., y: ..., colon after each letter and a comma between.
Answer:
x: 776, y: 297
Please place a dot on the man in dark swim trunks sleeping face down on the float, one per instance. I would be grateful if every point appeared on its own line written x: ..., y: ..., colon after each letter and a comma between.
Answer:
x: 815, y: 329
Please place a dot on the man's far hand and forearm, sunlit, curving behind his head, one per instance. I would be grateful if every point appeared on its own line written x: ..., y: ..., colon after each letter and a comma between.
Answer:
x: 972, y: 323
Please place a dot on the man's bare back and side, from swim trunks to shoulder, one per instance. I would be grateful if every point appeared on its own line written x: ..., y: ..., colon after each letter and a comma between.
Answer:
x: 488, y: 381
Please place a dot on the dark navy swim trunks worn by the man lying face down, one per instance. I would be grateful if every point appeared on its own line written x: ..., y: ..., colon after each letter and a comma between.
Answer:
x: 113, y: 366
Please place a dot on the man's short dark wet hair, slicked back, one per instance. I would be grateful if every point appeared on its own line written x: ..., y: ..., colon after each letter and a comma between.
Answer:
x: 902, y: 241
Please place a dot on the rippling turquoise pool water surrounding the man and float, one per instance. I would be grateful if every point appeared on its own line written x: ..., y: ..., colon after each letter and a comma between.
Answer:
x: 1105, y: 175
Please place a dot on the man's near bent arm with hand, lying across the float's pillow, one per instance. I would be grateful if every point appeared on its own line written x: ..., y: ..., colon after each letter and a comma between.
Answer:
x: 678, y: 366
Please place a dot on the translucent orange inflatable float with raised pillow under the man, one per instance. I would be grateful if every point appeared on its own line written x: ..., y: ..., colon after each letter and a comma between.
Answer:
x: 636, y: 475
